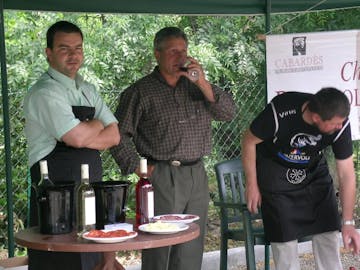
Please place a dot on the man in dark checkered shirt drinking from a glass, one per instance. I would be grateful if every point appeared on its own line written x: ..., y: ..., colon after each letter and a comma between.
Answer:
x: 166, y: 117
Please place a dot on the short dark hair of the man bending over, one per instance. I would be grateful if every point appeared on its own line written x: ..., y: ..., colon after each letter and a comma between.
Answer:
x: 328, y: 103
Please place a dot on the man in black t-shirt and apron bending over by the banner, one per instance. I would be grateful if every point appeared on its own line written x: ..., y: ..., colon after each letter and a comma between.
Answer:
x: 288, y: 176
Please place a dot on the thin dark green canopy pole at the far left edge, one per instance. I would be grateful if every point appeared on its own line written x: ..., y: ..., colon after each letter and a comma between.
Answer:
x: 5, y: 104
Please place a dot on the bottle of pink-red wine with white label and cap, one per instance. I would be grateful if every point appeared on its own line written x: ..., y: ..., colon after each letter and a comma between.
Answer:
x: 144, y: 196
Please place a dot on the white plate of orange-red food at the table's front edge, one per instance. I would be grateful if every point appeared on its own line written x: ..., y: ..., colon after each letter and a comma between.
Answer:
x: 109, y: 236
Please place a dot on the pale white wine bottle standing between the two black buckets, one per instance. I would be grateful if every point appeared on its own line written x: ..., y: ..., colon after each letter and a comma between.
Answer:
x: 86, y: 215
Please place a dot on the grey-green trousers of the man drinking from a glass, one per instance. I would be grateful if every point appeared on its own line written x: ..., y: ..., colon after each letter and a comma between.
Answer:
x: 179, y: 190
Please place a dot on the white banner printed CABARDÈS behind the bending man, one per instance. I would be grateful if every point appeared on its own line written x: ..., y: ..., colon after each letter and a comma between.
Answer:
x: 307, y: 62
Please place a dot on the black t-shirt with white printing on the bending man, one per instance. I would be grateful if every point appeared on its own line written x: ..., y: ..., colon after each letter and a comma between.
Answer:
x: 289, y: 140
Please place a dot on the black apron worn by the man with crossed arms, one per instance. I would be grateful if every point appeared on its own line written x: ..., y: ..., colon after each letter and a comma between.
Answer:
x: 64, y: 164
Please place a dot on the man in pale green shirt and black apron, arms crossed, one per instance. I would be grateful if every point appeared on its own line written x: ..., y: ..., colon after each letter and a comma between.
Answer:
x: 67, y: 123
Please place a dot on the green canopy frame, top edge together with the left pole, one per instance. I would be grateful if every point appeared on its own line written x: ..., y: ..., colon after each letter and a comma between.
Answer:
x: 185, y: 7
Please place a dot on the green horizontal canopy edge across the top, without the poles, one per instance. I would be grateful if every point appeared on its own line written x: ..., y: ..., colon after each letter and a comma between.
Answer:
x: 193, y: 7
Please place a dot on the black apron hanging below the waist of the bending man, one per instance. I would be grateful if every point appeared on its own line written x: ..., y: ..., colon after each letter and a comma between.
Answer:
x: 296, y: 202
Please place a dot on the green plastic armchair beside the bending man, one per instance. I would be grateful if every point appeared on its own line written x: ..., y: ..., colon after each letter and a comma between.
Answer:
x: 237, y: 223
